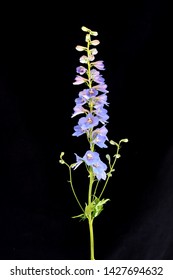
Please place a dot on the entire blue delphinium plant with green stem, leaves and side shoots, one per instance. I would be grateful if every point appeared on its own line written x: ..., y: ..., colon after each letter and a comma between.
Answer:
x: 91, y: 102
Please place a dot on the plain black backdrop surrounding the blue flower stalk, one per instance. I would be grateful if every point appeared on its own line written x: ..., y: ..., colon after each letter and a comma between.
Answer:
x: 37, y: 68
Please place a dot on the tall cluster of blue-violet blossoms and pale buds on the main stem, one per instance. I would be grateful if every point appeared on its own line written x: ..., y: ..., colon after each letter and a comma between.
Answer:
x: 91, y: 103
